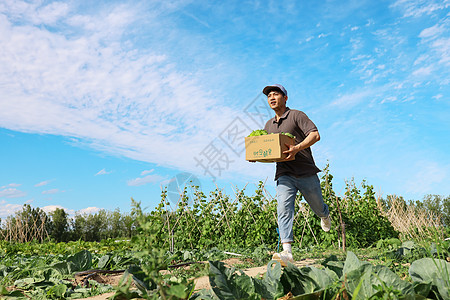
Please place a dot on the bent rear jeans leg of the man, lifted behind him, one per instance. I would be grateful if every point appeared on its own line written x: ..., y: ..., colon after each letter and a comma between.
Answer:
x: 311, y: 191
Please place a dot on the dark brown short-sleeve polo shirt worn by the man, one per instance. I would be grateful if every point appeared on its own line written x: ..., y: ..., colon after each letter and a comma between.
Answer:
x: 298, y: 124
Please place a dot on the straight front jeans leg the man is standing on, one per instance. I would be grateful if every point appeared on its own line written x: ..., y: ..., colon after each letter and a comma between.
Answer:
x: 286, y: 192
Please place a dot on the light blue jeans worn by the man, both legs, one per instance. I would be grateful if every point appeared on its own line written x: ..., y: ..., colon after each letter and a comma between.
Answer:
x: 287, y: 187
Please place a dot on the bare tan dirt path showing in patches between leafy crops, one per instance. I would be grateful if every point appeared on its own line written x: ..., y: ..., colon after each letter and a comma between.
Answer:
x: 201, y: 282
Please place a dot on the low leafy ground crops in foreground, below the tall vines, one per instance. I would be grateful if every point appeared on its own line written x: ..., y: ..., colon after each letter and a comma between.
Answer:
x: 46, y: 271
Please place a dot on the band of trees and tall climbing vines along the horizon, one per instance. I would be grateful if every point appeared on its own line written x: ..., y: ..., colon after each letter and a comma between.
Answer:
x: 246, y: 219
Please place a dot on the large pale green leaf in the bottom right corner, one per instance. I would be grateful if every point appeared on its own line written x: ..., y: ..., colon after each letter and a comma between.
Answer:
x: 434, y: 271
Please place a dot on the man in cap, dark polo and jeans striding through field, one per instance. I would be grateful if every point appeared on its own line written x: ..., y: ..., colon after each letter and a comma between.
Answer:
x: 296, y: 175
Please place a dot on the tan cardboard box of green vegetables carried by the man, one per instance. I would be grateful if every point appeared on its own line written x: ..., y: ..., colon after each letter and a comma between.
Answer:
x: 267, y: 148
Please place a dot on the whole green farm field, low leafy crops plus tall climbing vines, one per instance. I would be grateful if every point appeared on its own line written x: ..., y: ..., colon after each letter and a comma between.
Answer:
x: 220, y: 247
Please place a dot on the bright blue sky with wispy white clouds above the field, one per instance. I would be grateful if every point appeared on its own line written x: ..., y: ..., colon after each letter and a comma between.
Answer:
x: 101, y: 101
